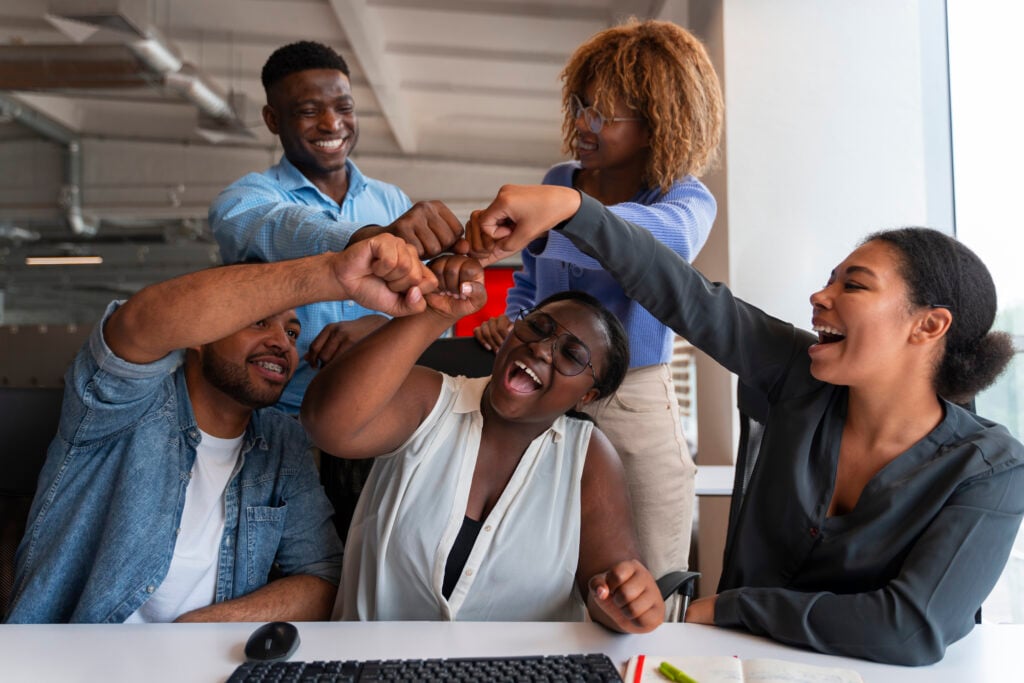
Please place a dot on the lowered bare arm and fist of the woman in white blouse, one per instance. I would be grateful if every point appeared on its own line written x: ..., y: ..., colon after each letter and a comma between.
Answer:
x: 620, y: 591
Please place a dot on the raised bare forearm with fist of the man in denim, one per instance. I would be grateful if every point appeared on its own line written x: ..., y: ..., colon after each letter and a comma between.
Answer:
x: 382, y: 273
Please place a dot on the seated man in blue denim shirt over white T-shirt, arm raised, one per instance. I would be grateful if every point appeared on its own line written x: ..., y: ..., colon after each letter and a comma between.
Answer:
x: 172, y: 490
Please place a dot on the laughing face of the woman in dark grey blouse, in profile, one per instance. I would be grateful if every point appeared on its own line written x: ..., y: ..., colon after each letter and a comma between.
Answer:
x: 865, y: 321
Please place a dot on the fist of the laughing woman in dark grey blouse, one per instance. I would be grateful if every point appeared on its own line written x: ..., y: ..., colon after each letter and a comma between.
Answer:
x: 518, y: 217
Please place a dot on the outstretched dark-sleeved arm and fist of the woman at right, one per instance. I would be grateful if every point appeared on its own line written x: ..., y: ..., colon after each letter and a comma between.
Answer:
x: 741, y: 337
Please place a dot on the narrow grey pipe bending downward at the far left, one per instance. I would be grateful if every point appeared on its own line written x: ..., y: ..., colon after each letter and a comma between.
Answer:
x: 70, y: 198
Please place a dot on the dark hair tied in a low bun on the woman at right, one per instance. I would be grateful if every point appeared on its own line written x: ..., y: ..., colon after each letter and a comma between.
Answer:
x: 942, y: 272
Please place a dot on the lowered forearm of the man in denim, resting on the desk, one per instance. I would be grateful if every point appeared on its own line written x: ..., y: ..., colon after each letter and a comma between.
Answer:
x: 301, y: 599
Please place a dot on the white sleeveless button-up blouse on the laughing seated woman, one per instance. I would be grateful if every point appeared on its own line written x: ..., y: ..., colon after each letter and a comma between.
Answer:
x: 523, y: 566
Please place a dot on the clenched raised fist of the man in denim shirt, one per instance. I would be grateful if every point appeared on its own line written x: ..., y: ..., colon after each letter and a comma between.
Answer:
x: 386, y: 274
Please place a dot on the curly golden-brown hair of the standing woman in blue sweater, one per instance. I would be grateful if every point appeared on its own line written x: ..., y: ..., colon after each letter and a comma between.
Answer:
x: 663, y: 72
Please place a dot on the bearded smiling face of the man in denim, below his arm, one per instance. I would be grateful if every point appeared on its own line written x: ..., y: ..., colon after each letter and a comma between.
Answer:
x: 253, y: 365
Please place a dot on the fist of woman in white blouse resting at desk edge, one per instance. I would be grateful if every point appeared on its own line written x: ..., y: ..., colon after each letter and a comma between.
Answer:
x: 628, y: 597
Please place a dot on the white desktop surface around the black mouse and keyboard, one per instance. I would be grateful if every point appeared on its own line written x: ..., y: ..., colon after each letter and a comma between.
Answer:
x: 197, y: 653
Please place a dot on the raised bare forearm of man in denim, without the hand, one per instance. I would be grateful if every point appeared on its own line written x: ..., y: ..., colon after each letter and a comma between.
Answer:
x: 199, y: 308
